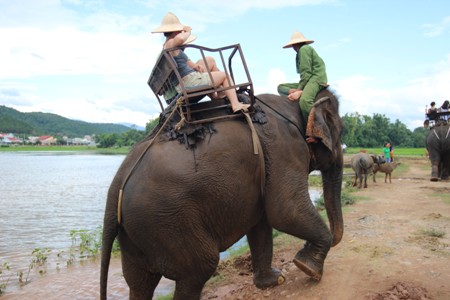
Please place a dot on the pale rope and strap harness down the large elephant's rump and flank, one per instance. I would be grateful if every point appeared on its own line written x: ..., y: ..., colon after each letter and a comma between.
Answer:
x: 257, y: 150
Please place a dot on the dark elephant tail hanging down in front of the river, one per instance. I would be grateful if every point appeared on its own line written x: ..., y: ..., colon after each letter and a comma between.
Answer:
x: 110, y: 232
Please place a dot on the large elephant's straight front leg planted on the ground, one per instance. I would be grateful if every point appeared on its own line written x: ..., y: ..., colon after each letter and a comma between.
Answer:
x: 261, y: 247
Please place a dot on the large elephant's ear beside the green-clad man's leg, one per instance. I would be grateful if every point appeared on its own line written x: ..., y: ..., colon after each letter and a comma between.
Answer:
x: 324, y: 123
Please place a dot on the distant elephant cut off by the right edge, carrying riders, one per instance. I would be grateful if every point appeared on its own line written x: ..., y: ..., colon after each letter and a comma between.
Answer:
x: 438, y: 147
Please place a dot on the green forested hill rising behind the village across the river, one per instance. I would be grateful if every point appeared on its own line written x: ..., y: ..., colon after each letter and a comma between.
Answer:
x: 38, y: 123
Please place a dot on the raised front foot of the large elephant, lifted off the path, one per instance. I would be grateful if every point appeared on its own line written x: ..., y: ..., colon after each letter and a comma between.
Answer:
x: 310, y: 263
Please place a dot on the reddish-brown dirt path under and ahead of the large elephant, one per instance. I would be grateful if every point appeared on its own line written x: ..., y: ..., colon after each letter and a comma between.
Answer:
x: 388, y: 251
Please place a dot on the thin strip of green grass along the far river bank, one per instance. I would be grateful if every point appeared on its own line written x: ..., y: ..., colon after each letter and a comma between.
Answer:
x: 84, y: 149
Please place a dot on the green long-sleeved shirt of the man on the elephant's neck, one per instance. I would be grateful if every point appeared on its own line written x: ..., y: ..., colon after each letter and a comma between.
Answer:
x: 310, y: 67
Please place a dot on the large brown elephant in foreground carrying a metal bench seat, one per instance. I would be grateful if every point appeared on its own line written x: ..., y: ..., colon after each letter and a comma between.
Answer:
x: 176, y: 203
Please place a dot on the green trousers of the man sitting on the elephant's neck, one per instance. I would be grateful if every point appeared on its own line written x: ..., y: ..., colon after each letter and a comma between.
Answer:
x: 307, y: 98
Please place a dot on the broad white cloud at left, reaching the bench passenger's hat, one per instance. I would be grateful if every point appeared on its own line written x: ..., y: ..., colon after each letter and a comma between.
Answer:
x: 35, y: 52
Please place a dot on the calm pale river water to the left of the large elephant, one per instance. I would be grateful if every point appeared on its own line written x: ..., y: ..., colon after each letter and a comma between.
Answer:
x: 43, y: 196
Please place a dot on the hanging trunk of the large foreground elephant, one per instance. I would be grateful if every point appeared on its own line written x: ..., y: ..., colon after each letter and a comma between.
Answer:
x: 332, y: 186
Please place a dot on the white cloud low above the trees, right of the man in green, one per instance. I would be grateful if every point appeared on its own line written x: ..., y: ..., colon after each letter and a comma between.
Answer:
x: 406, y: 103
